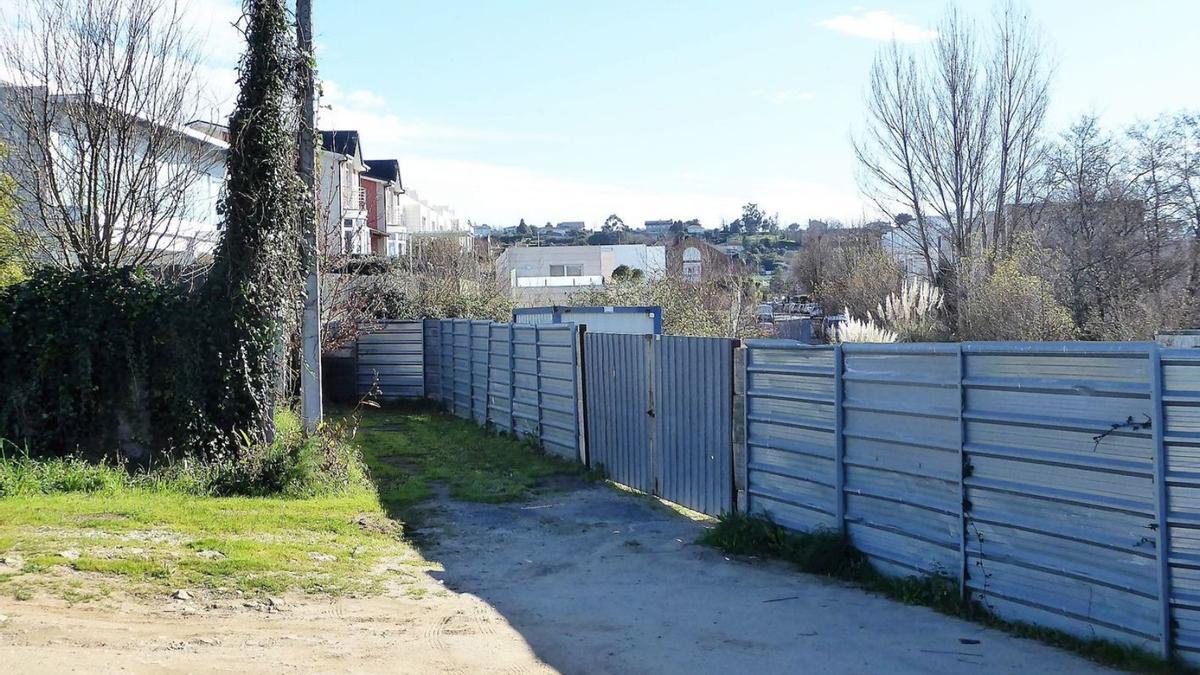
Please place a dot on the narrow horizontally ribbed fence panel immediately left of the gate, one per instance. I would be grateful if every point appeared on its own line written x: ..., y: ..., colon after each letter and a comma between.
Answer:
x: 557, y: 392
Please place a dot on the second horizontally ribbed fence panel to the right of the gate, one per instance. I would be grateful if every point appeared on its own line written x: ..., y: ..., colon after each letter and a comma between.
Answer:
x: 902, y: 428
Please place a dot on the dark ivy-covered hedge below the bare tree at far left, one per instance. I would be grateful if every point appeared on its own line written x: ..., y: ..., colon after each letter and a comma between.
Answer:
x: 97, y: 362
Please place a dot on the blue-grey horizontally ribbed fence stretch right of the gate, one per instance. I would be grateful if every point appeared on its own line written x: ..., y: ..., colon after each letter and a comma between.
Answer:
x: 1029, y: 473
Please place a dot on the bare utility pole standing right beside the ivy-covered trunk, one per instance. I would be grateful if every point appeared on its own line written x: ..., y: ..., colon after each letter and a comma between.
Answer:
x: 310, y: 324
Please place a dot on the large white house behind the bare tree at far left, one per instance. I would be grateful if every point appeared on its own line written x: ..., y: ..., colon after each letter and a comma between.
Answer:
x: 177, y: 223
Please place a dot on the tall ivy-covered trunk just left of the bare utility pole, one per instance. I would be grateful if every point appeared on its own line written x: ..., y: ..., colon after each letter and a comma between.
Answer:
x: 254, y: 289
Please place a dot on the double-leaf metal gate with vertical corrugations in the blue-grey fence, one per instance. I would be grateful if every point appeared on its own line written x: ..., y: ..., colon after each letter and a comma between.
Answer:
x: 661, y: 414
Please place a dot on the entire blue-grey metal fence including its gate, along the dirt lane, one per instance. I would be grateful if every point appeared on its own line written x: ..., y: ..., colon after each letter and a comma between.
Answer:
x: 1057, y: 483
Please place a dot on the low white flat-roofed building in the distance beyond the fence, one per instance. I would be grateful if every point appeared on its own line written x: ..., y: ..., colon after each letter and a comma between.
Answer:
x: 548, y: 274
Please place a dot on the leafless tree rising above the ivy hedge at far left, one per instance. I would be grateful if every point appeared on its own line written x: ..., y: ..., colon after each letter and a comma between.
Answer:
x: 95, y: 112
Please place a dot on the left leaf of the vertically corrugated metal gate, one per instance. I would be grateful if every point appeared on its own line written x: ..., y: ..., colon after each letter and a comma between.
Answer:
x: 619, y: 402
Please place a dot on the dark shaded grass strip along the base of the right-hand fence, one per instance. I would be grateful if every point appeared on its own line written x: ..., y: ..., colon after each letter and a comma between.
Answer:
x: 829, y: 554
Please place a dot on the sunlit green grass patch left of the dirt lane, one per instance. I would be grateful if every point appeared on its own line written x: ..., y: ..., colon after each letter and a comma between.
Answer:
x: 255, y: 545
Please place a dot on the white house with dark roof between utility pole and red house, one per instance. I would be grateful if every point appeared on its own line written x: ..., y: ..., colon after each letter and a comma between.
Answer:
x: 341, y: 196
